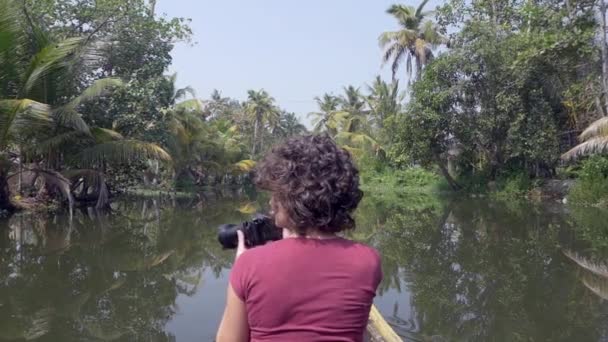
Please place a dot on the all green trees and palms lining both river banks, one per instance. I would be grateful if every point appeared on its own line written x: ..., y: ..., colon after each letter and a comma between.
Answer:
x: 499, y: 98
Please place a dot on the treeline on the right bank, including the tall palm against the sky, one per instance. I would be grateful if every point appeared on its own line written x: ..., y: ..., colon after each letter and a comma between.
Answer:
x: 498, y: 90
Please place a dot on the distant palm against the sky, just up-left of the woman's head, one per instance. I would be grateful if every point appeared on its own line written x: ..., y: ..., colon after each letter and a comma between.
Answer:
x: 262, y: 111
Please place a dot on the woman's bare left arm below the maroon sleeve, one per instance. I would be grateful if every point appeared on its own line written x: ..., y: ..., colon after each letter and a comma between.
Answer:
x: 234, y: 326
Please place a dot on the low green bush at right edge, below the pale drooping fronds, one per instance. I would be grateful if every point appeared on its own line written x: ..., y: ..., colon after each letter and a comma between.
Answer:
x: 591, y: 187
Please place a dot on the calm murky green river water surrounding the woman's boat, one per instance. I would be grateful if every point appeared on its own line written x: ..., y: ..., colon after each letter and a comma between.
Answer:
x: 454, y: 269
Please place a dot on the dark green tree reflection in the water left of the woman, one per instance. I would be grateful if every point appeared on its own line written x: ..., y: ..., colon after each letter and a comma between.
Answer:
x: 106, y: 276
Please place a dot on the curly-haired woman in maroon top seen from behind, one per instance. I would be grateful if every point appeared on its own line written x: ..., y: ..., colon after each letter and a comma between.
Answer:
x: 313, y: 285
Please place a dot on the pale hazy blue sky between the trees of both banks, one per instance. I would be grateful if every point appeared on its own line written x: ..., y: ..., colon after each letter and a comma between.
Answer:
x: 296, y: 50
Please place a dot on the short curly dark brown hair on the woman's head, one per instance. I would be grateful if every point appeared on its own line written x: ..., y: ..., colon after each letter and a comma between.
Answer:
x: 314, y: 180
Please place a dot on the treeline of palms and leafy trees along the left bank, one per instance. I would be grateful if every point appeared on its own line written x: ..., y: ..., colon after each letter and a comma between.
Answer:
x: 86, y: 106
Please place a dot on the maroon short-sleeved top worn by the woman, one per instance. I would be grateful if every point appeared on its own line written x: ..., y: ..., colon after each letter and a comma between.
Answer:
x: 301, y: 289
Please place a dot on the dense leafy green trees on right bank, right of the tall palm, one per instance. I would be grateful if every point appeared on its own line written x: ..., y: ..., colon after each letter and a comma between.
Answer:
x: 510, y: 95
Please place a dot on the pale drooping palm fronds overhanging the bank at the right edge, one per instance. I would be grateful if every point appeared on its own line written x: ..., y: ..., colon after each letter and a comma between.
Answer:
x: 594, y: 139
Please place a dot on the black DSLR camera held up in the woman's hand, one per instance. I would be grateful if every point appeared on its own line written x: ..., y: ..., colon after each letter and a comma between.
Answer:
x: 257, y: 232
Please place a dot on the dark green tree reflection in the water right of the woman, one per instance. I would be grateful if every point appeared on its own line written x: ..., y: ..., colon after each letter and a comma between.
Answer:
x: 479, y: 271
